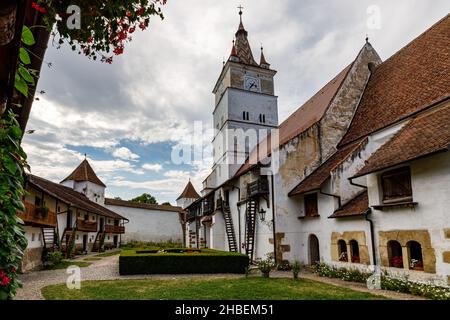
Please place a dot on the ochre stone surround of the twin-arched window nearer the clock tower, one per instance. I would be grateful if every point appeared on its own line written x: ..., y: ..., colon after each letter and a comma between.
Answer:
x: 347, y: 236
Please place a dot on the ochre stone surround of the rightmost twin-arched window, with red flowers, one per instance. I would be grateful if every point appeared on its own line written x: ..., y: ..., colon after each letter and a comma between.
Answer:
x: 403, y: 237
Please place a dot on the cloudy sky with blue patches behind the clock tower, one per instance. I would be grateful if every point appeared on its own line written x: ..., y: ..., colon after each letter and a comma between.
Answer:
x: 129, y: 116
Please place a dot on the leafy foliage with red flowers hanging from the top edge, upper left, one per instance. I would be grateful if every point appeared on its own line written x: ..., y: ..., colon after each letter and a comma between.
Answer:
x: 99, y: 29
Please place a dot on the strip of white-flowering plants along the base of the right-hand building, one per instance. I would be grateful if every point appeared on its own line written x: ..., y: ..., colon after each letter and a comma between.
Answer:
x: 387, y: 282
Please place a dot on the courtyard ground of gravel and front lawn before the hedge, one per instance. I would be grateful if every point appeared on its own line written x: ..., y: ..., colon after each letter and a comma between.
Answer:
x: 101, y: 280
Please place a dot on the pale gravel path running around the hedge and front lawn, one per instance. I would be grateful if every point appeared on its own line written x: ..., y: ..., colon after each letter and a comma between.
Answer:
x: 108, y: 269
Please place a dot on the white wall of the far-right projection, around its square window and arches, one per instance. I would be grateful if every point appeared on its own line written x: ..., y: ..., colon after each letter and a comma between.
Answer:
x: 430, y: 179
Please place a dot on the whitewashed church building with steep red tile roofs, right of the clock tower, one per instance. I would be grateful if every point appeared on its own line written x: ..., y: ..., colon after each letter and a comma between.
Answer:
x: 360, y: 174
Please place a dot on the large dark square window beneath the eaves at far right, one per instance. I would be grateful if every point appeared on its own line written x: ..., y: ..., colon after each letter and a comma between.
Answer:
x: 396, y: 185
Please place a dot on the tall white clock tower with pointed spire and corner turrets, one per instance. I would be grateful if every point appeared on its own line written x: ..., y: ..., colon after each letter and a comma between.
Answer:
x: 245, y: 110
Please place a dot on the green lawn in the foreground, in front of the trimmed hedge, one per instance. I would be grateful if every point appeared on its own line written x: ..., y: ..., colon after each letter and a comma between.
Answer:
x: 253, y: 288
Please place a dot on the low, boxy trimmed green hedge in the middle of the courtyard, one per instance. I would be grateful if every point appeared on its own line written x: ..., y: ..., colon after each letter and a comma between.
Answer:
x: 181, y: 261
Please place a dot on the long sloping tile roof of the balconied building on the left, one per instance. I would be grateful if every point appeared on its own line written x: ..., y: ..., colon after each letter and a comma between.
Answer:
x: 70, y: 196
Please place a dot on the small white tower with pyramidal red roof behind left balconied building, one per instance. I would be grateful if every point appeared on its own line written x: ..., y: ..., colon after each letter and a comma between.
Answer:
x: 84, y: 180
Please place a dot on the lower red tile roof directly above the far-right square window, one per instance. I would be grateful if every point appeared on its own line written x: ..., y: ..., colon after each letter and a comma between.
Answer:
x: 427, y: 134
